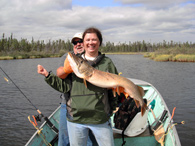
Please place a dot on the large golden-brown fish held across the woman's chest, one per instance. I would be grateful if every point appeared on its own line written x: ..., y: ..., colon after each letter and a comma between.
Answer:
x: 106, y: 80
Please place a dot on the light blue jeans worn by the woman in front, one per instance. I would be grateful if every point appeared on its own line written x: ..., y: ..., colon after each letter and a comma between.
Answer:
x: 79, y: 133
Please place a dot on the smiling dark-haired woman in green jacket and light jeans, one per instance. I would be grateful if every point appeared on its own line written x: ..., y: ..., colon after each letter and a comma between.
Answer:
x: 91, y: 107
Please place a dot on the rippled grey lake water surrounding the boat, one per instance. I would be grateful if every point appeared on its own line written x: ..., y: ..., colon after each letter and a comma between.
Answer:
x: 175, y: 81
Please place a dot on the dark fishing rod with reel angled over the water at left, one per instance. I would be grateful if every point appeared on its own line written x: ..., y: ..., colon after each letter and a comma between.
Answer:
x: 37, y: 117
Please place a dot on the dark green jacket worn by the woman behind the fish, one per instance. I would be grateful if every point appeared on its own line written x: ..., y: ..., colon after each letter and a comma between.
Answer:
x: 91, y: 105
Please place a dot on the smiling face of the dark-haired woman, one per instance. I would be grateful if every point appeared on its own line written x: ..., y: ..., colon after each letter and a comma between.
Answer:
x: 91, y: 43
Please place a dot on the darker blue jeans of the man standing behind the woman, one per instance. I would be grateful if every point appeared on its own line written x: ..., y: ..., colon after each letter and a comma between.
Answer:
x: 63, y: 139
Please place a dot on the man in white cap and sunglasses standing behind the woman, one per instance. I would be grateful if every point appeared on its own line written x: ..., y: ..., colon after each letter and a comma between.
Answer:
x: 77, y: 42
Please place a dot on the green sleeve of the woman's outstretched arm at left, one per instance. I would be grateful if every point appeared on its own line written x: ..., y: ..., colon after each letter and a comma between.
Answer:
x: 61, y: 85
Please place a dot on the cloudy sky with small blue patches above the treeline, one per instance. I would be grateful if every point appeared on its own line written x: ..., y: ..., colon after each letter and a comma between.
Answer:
x: 119, y: 20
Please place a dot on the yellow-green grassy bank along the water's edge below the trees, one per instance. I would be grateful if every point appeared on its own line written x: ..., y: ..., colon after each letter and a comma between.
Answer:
x: 176, y: 54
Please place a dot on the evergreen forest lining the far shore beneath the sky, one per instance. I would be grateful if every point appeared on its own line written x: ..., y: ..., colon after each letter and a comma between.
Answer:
x: 23, y: 48
